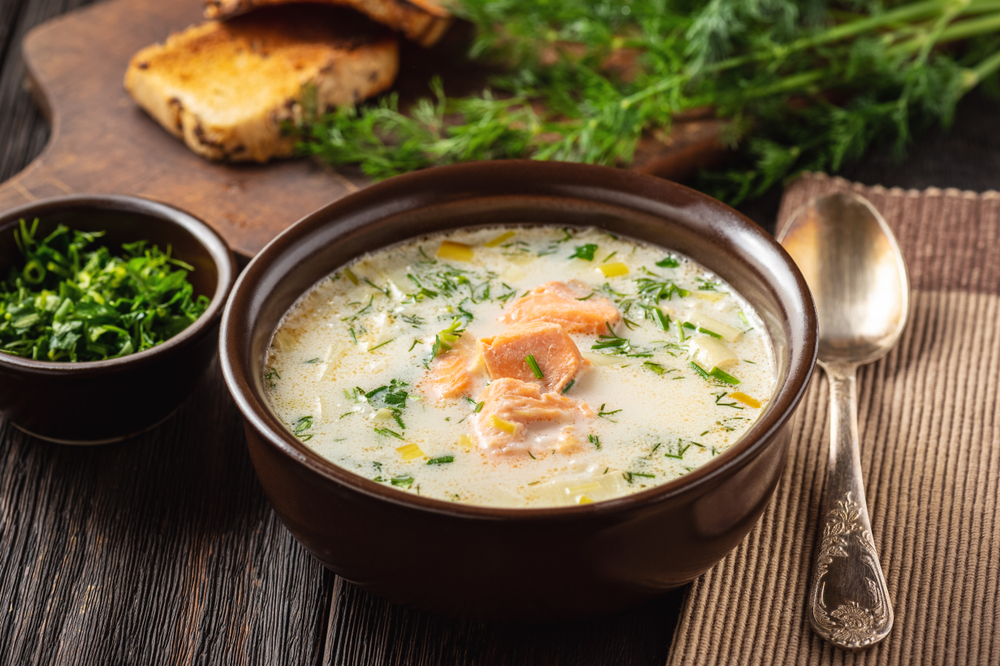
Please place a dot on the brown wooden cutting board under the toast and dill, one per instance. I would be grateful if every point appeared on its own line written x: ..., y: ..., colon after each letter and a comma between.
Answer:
x: 102, y: 142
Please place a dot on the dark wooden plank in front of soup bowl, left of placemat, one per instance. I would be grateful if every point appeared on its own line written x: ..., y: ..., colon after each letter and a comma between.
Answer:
x: 365, y: 629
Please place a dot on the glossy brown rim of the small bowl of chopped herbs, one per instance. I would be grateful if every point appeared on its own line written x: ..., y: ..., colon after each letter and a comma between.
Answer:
x: 206, y: 236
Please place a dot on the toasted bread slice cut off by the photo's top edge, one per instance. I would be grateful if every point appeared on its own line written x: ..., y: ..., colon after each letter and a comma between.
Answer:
x: 421, y: 21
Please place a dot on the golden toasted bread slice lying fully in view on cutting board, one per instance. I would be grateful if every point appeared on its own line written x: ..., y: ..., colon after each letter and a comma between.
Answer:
x: 226, y: 88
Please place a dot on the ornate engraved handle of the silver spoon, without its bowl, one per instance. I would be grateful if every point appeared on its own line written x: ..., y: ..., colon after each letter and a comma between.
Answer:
x: 848, y: 603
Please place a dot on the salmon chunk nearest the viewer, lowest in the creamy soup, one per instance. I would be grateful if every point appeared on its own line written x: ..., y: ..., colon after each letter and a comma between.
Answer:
x: 516, y: 415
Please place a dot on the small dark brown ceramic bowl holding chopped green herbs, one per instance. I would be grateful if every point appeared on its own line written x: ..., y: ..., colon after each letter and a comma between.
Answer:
x: 103, y: 401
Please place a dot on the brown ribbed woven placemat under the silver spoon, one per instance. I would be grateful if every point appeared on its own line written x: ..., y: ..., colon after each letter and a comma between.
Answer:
x: 930, y: 449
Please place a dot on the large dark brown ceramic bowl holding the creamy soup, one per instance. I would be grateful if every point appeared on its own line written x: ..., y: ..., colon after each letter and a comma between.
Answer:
x: 518, y: 564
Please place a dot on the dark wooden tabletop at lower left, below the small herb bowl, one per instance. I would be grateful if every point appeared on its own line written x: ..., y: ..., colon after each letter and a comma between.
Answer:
x: 160, y: 549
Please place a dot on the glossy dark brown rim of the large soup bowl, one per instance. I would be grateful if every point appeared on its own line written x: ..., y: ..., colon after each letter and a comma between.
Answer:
x: 240, y: 381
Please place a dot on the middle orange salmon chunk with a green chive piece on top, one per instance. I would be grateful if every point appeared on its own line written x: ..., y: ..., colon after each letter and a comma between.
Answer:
x: 554, y: 351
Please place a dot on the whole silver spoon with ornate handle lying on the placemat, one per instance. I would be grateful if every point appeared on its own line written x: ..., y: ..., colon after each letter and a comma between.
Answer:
x: 854, y: 268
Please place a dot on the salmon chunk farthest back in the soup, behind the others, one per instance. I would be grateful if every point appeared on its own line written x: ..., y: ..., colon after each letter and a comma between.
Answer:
x: 559, y: 303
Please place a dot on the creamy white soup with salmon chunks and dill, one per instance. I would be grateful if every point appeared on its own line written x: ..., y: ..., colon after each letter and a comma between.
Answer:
x: 520, y: 366
